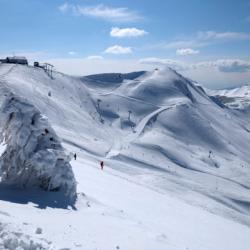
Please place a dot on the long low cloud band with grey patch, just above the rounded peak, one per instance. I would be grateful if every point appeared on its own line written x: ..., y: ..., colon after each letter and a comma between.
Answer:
x: 222, y: 65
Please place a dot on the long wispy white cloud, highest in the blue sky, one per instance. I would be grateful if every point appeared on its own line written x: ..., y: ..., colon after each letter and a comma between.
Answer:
x: 120, y: 14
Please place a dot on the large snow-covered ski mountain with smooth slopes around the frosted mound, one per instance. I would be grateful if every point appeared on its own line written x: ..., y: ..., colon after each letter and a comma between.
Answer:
x: 176, y: 172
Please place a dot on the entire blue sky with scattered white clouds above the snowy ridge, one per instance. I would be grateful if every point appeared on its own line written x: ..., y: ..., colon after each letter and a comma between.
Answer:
x: 208, y: 41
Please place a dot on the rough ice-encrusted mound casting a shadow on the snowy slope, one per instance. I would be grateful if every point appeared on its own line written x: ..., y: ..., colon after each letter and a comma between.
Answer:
x: 33, y: 155
